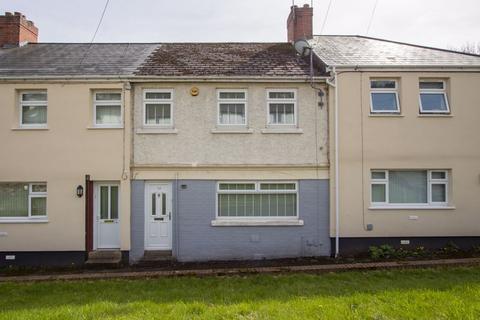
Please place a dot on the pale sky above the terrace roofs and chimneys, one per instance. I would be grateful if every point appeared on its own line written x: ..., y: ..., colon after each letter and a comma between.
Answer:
x: 439, y: 23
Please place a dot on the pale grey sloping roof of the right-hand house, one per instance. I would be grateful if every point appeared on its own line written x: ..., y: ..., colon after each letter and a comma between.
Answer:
x: 364, y: 51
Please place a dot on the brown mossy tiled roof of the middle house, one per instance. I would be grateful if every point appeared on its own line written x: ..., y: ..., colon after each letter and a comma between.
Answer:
x: 224, y: 59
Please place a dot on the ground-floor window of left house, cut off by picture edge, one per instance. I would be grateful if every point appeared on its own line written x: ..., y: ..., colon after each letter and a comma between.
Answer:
x: 23, y: 200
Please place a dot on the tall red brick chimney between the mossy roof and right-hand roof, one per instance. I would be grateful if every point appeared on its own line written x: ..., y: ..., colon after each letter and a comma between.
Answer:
x: 299, y: 23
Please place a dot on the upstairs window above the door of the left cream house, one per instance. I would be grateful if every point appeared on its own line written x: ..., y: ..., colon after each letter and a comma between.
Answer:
x: 107, y: 109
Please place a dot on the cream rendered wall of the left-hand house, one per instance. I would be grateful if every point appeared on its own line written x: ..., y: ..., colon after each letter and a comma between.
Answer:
x: 62, y: 154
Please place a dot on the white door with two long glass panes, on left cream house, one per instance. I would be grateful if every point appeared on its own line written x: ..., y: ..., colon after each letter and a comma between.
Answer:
x: 107, y: 227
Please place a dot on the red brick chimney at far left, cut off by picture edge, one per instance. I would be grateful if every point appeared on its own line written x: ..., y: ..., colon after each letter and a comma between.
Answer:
x: 16, y: 30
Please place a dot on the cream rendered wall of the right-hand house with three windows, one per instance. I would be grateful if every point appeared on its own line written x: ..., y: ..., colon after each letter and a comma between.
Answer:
x: 408, y: 140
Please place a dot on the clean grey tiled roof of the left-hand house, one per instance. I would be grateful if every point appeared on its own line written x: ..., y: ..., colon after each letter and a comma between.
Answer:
x: 73, y: 59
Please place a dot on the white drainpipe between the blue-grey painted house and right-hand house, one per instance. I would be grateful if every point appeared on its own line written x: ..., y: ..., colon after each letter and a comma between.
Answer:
x: 334, y: 84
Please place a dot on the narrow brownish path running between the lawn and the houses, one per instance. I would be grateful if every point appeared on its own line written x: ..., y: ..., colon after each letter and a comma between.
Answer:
x: 248, y: 270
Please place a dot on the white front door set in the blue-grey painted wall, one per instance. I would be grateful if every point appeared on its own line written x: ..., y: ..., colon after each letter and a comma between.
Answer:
x: 158, y: 216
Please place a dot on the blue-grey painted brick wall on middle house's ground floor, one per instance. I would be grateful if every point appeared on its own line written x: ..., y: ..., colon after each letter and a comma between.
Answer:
x: 194, y: 239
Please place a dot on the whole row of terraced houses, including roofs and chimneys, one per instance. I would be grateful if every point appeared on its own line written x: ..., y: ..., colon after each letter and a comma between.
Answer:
x: 223, y: 151
